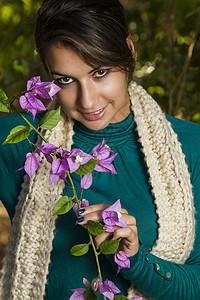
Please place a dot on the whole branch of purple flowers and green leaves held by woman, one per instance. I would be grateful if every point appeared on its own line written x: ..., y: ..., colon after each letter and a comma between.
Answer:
x: 63, y: 163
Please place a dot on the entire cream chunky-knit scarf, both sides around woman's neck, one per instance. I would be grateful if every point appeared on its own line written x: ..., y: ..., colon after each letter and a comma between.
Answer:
x: 26, y: 263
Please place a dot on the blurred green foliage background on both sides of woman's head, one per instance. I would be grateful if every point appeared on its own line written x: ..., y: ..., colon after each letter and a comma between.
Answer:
x: 166, y: 38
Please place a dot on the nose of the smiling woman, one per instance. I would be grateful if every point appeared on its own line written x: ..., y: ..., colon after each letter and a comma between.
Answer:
x: 87, y: 96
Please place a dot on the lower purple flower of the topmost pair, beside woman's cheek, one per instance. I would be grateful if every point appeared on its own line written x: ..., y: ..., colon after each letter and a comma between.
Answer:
x: 32, y: 104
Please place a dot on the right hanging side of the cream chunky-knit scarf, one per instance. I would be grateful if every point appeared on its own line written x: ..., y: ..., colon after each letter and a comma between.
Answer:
x: 169, y: 178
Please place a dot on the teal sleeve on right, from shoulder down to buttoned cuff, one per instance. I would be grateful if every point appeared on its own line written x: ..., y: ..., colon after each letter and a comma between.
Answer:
x: 161, y: 279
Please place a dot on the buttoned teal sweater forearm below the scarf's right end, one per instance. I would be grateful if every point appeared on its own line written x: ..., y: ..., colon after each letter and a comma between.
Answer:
x: 164, y: 280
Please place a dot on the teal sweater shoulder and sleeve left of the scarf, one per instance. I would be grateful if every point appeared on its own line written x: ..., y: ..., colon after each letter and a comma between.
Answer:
x: 12, y: 157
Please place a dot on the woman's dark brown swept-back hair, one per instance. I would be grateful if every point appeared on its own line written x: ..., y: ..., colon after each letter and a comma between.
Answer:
x: 95, y: 29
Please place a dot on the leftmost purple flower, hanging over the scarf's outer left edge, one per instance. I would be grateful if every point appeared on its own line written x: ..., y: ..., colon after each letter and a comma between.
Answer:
x: 31, y: 163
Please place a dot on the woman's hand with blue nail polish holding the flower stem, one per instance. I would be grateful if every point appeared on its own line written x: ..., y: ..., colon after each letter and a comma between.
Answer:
x: 129, y: 243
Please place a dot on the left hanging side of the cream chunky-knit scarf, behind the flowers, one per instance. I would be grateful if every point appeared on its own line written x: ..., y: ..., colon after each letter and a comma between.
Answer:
x: 30, y: 242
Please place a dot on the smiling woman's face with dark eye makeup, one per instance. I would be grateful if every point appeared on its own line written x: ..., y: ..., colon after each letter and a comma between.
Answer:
x: 93, y: 96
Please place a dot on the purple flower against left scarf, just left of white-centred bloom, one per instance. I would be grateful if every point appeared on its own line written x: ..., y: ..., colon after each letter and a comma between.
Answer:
x: 58, y: 170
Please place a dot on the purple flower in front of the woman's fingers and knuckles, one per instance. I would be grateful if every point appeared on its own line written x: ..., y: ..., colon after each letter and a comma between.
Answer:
x: 112, y: 216
